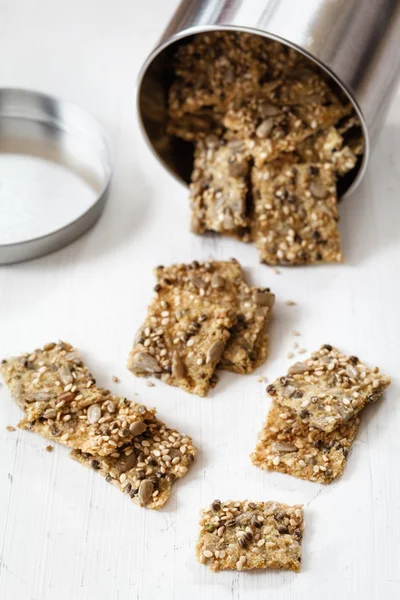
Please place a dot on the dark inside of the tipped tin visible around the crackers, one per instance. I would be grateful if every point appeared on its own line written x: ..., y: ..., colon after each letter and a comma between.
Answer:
x: 176, y: 154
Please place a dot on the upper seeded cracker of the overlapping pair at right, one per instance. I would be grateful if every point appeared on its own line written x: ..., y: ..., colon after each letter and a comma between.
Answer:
x: 328, y: 389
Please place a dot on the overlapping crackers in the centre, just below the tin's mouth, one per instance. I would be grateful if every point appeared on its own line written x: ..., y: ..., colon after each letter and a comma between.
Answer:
x: 204, y: 317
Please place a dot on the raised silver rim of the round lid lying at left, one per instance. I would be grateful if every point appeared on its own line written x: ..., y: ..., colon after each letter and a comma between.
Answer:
x: 40, y: 245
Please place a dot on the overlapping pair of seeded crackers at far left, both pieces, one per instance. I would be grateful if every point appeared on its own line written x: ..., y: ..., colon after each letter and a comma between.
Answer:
x: 122, y: 440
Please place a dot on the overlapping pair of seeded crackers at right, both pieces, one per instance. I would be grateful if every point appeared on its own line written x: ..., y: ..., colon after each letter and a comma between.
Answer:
x: 315, y: 415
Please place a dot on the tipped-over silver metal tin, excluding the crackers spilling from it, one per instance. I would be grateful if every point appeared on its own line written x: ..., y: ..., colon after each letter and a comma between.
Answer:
x: 355, y: 41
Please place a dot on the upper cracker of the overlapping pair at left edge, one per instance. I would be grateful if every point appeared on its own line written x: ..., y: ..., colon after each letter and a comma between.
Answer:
x: 61, y: 402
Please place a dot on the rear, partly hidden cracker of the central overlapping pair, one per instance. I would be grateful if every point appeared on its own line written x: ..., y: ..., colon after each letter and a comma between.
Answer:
x: 221, y: 283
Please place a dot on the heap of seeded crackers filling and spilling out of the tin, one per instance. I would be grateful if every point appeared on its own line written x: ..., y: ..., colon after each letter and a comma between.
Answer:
x: 271, y: 138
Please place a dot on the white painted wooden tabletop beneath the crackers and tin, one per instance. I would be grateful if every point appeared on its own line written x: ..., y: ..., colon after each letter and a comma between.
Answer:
x: 64, y: 533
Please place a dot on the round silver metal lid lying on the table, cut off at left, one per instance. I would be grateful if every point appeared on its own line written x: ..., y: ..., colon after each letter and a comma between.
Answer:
x: 55, y: 166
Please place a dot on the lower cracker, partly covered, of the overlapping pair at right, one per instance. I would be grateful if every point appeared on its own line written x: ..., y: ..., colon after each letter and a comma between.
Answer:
x: 287, y: 445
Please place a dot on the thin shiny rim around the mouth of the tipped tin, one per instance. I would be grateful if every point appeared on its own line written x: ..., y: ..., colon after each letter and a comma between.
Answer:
x: 203, y: 29
